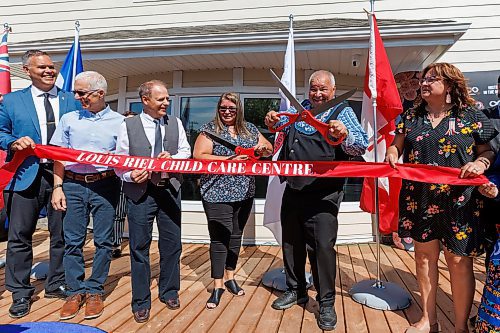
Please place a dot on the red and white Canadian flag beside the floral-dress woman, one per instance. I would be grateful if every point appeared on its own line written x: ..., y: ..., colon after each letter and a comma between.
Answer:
x: 381, y: 86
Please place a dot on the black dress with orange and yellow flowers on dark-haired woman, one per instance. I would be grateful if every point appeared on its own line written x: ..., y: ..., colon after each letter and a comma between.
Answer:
x: 438, y: 211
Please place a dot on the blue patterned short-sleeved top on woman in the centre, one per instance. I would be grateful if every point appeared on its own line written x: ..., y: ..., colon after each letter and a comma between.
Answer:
x: 227, y: 188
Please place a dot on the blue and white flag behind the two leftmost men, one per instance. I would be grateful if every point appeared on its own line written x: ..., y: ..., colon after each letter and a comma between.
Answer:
x: 72, y: 65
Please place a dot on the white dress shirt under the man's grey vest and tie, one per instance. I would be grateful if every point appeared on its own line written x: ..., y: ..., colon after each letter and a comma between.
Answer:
x: 122, y: 143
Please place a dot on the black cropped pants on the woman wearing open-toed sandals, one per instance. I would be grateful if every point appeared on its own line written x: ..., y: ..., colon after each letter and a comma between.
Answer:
x: 226, y: 221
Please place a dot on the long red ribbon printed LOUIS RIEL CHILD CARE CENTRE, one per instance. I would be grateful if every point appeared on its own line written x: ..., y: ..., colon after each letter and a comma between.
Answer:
x: 415, y: 172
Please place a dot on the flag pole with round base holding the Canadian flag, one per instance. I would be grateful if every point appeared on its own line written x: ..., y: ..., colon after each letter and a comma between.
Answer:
x: 375, y: 293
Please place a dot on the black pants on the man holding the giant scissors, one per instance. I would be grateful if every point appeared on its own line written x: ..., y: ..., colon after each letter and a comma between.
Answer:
x: 309, y: 224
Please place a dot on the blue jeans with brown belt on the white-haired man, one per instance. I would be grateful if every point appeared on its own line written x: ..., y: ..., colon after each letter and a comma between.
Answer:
x: 99, y: 198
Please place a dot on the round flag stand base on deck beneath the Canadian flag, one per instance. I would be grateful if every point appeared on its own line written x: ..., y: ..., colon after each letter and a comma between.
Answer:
x: 380, y: 295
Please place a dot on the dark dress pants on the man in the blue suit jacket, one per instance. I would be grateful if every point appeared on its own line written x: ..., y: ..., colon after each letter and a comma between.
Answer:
x: 23, y: 209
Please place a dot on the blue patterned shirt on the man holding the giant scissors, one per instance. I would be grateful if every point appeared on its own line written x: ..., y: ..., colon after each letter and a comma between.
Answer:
x: 356, y: 142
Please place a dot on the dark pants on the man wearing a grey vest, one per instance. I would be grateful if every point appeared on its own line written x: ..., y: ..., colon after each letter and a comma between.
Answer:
x: 164, y: 204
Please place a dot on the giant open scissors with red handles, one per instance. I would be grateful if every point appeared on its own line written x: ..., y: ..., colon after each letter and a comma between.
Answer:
x: 305, y: 115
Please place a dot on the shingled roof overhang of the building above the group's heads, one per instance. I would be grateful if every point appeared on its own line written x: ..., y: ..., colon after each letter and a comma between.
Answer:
x: 323, y: 43
